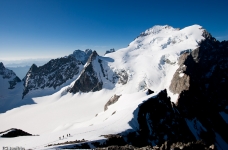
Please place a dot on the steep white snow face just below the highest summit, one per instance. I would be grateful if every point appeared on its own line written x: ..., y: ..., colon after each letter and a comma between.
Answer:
x: 151, y: 59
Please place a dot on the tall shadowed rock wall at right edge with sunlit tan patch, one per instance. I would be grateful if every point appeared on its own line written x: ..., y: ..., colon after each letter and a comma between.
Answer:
x: 203, y: 87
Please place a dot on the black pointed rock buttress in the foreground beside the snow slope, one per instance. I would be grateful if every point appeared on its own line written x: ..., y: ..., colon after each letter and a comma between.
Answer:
x: 163, y: 124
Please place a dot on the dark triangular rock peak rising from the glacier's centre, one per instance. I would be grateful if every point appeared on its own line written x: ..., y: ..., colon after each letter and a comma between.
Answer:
x: 88, y: 80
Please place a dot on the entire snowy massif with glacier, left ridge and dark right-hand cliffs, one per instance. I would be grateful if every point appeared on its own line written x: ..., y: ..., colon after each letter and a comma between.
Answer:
x: 168, y: 85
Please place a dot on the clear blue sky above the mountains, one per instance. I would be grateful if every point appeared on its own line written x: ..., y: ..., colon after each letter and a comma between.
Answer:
x: 55, y: 28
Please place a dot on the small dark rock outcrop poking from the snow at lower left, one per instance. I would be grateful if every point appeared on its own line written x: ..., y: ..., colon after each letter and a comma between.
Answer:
x: 14, y: 133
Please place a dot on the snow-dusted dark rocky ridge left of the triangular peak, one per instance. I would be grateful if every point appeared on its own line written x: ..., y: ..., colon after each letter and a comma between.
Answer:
x: 55, y: 74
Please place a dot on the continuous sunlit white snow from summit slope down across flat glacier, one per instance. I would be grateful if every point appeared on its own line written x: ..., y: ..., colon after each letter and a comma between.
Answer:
x: 59, y: 114
